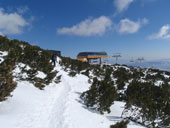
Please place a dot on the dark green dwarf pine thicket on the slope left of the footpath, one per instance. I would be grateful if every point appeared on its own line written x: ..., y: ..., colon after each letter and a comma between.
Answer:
x: 34, y: 57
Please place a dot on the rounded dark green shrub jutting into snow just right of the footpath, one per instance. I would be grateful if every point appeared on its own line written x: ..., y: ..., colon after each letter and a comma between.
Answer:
x: 100, y: 96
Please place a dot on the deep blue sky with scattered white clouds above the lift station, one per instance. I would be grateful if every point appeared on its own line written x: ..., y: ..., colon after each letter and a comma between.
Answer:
x: 134, y: 28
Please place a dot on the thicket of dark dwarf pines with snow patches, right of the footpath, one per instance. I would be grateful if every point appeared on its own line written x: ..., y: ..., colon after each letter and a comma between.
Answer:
x: 145, y: 91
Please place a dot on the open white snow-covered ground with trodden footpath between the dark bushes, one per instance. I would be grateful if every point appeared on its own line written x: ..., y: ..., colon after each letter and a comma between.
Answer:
x: 57, y: 106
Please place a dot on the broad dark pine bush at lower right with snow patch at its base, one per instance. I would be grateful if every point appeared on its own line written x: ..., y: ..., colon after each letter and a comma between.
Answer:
x: 152, y: 102
